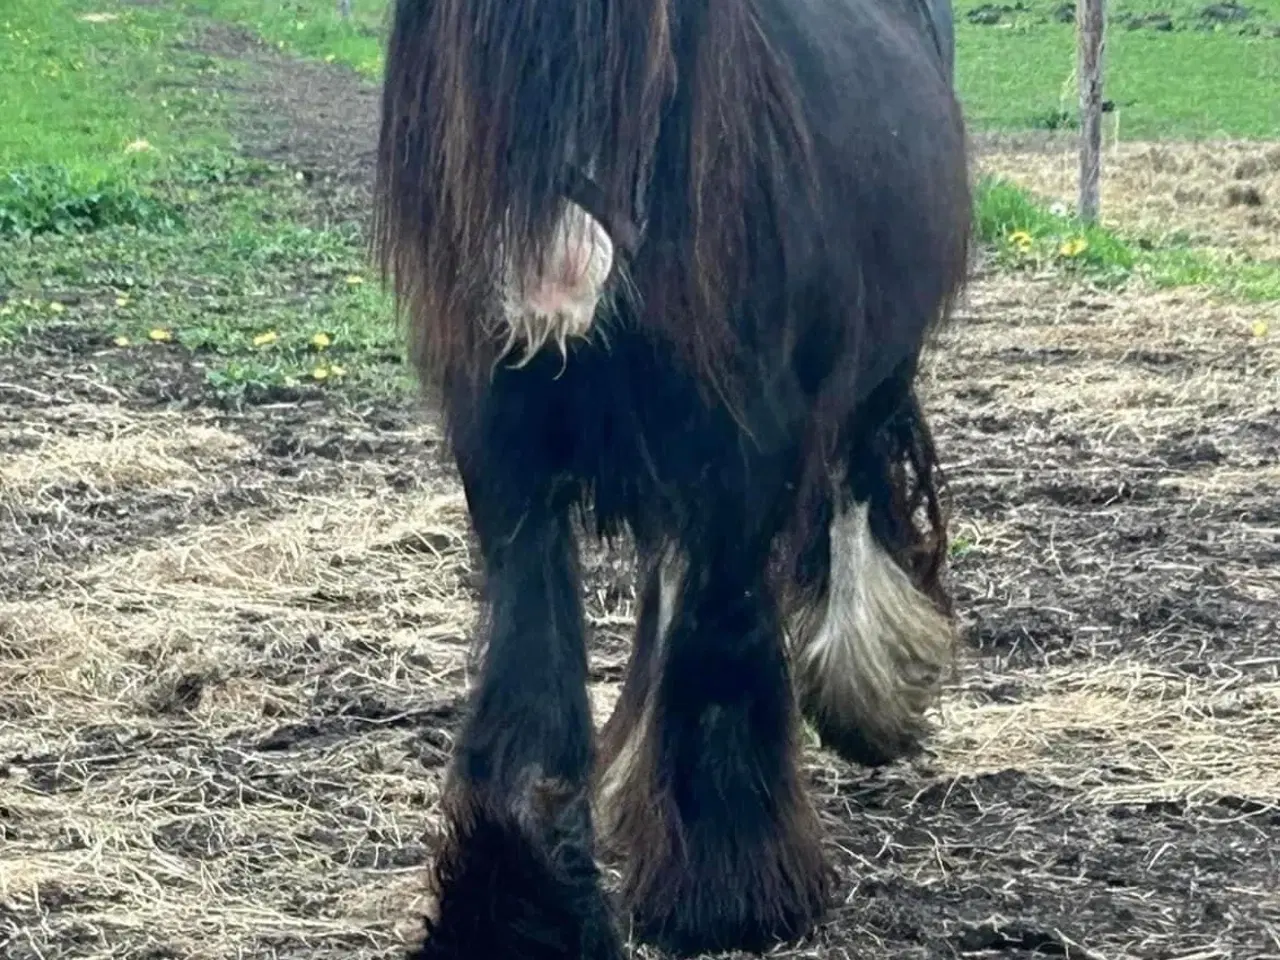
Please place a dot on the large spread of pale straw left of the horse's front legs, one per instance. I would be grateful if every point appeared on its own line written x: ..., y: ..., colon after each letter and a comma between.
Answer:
x: 220, y: 746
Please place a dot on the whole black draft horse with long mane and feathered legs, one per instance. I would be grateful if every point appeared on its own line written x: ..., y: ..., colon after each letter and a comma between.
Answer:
x: 671, y: 266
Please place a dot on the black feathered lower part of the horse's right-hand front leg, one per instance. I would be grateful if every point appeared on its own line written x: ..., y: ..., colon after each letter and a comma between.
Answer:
x: 717, y: 863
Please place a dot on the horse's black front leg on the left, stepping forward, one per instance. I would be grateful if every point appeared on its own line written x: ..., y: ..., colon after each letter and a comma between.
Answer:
x: 516, y: 877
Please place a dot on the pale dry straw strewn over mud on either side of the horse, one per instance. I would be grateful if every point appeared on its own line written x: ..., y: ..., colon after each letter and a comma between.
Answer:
x: 228, y: 742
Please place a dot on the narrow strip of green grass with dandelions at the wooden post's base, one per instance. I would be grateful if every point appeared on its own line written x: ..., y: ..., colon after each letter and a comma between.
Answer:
x: 1025, y: 232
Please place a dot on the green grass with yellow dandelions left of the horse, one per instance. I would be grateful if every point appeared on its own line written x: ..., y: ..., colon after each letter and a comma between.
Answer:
x: 177, y: 241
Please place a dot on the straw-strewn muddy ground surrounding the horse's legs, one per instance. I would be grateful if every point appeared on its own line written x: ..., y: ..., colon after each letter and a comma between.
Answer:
x: 234, y: 646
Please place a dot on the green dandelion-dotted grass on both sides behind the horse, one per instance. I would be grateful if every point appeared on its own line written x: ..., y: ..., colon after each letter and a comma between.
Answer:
x: 116, y: 149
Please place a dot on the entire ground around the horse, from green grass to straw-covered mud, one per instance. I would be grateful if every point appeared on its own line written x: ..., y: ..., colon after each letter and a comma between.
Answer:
x: 237, y: 584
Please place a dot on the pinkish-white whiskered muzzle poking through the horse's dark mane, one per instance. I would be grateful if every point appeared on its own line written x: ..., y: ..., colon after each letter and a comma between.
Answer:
x: 560, y: 305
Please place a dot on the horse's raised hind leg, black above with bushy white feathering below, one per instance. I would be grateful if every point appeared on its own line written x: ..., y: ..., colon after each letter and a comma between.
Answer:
x: 875, y: 636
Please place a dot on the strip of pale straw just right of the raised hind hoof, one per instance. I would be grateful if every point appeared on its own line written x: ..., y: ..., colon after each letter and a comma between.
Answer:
x: 1124, y: 733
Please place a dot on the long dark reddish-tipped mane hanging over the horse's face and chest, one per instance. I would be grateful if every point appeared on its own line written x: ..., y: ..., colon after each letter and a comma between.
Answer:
x: 487, y: 100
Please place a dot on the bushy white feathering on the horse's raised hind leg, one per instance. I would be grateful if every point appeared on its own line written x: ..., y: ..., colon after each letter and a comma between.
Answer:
x: 870, y: 661
